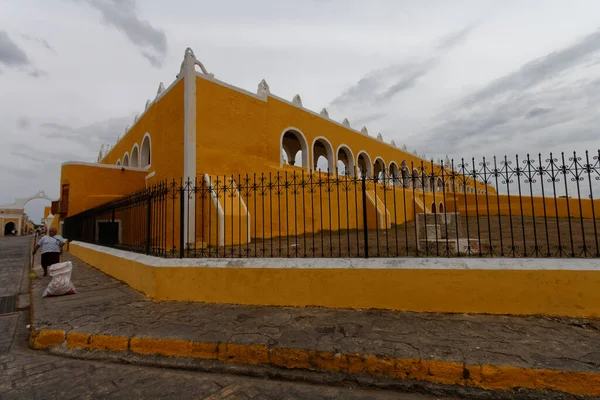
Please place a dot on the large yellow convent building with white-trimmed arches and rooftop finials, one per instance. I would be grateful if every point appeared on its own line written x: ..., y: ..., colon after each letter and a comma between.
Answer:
x: 212, y: 134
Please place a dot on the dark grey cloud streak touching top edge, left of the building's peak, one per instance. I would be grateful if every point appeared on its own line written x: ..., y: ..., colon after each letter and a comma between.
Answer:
x: 123, y: 15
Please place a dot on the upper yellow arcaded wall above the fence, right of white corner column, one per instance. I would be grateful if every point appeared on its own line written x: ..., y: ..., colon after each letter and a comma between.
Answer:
x: 240, y: 134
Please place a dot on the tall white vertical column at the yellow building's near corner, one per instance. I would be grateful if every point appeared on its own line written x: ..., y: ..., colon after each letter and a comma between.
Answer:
x: 189, y: 157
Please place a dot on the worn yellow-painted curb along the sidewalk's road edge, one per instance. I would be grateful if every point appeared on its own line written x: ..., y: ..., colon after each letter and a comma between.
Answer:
x: 490, y: 377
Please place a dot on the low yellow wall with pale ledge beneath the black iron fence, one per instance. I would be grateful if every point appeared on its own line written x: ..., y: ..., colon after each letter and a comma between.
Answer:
x: 572, y: 293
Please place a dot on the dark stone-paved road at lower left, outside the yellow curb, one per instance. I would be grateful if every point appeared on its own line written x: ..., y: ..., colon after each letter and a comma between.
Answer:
x: 29, y: 374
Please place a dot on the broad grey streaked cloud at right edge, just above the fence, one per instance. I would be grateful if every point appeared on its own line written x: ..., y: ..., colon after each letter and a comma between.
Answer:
x: 507, y: 112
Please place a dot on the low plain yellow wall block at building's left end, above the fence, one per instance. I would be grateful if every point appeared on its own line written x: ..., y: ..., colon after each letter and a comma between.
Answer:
x: 92, y: 185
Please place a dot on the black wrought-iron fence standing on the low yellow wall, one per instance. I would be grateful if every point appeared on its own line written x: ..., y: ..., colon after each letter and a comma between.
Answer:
x: 532, y: 207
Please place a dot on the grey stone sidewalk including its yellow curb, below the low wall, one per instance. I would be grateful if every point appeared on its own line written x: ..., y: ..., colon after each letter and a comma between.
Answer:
x: 529, y: 357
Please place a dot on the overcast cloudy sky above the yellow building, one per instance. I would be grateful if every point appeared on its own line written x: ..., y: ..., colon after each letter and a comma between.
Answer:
x: 465, y: 78
